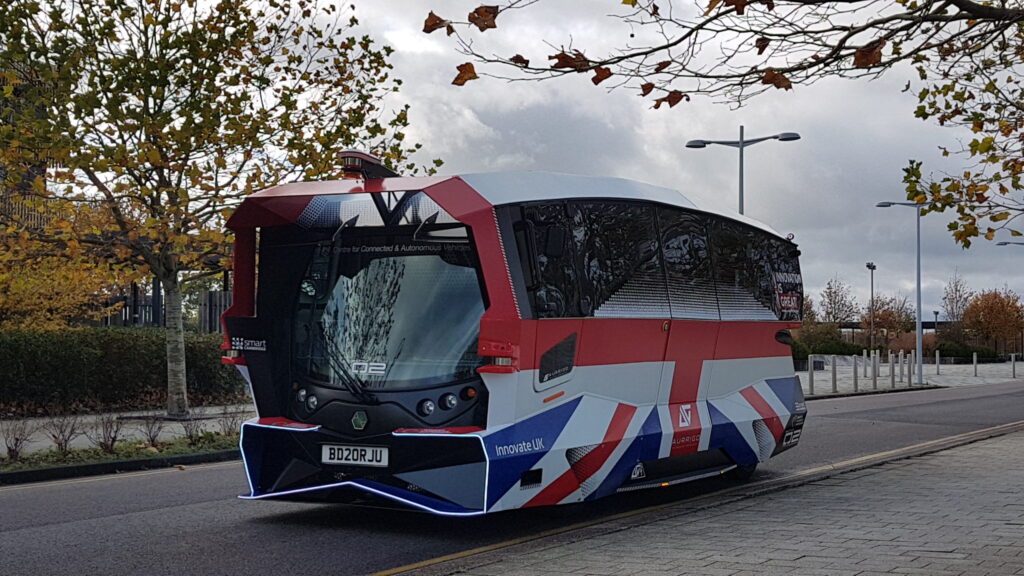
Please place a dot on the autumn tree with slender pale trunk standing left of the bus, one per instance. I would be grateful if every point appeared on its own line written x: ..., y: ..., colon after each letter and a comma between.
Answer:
x: 165, y: 114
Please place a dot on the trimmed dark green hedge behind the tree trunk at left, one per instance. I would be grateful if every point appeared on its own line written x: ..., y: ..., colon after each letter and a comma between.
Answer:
x: 106, y: 368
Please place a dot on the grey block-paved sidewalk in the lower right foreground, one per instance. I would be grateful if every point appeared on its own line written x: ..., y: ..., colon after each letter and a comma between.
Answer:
x: 954, y: 513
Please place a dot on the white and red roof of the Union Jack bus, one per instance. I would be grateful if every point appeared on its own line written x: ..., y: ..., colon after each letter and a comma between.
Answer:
x: 497, y: 188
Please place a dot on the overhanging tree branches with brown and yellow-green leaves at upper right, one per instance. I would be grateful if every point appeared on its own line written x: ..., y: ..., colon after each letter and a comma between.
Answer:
x: 967, y: 56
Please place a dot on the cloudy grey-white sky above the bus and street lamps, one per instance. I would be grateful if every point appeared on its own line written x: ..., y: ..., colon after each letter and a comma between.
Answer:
x: 858, y: 137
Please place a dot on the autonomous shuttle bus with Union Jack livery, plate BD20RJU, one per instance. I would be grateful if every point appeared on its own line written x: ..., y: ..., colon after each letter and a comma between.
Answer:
x: 467, y: 345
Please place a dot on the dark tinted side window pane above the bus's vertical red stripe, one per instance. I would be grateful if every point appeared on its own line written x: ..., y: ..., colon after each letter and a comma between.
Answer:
x: 689, y: 263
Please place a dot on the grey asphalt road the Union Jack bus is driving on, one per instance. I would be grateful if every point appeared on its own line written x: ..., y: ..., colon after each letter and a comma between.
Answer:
x: 182, y: 522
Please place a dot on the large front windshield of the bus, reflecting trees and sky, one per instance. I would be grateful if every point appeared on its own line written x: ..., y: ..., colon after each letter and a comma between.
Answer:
x: 389, y: 312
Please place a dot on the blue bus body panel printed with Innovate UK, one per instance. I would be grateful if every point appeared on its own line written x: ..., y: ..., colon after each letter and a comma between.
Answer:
x: 522, y: 446
